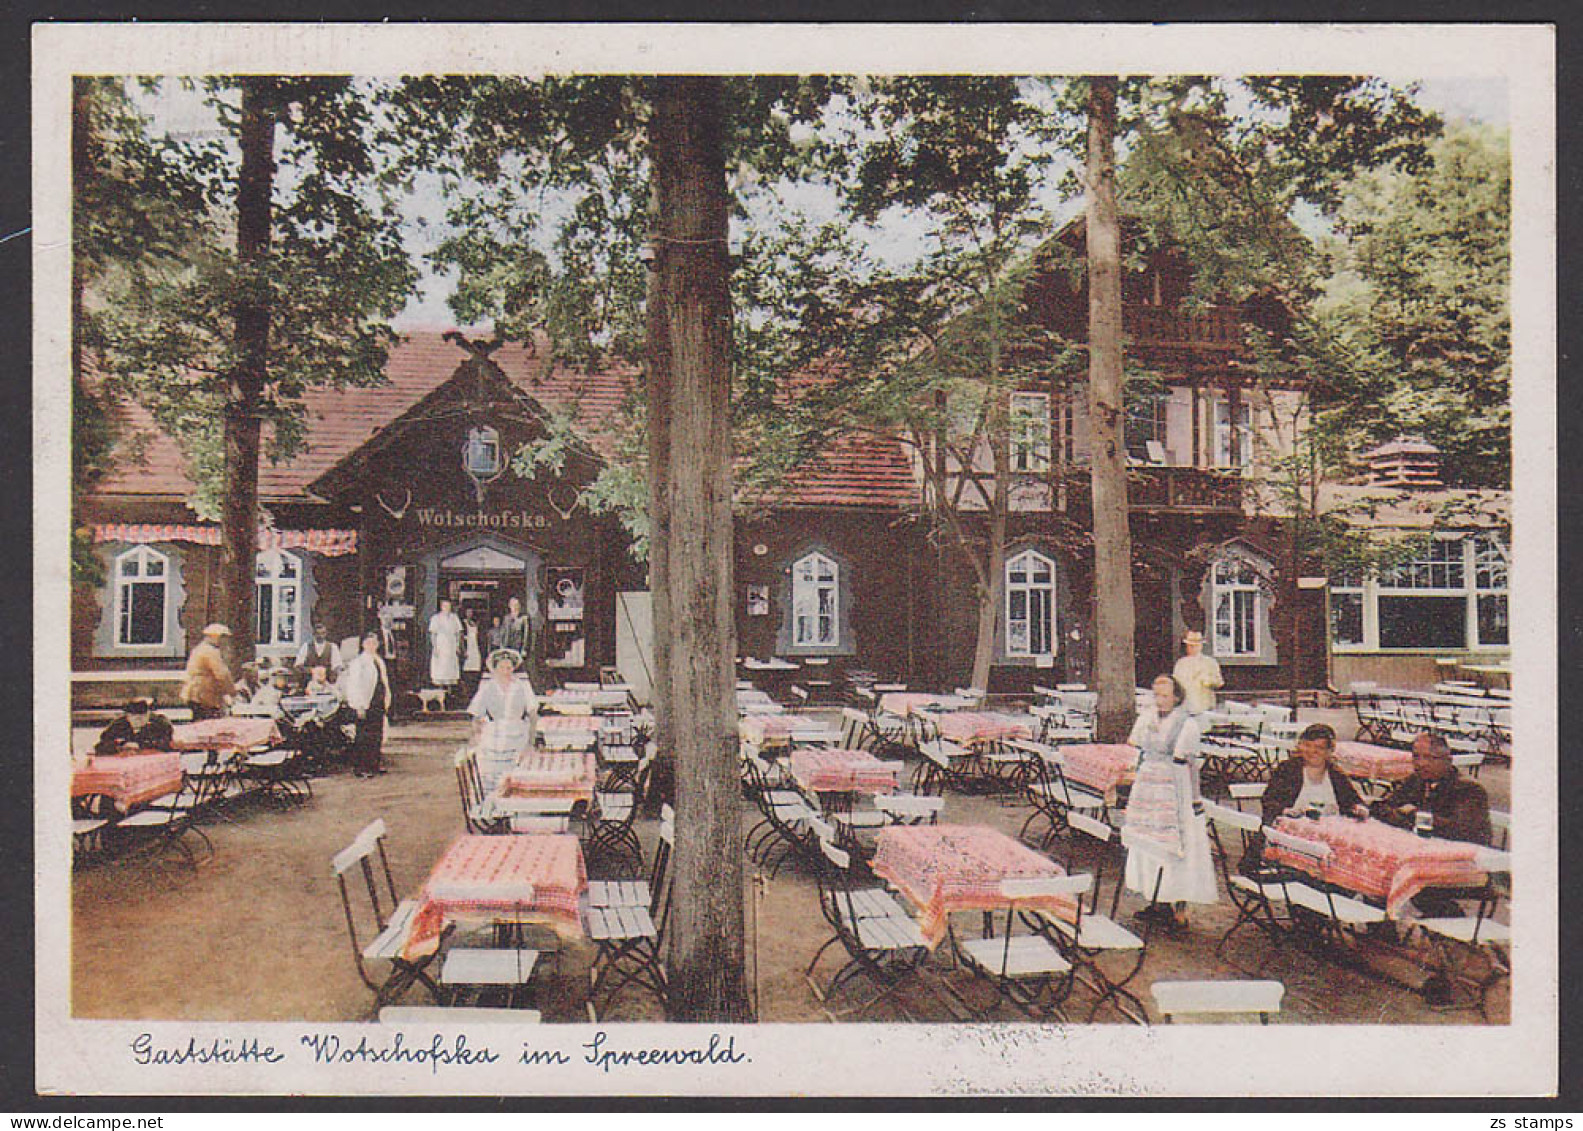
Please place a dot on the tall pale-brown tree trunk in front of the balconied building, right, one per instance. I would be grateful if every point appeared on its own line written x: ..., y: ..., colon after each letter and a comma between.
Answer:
x: 1115, y: 665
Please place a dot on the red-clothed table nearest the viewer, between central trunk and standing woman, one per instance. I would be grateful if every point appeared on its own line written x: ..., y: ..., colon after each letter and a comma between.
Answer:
x: 944, y: 869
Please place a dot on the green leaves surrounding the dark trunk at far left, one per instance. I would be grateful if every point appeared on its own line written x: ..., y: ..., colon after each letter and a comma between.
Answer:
x: 335, y: 273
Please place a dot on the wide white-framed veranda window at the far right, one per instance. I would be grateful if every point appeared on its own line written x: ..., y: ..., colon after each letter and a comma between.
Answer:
x: 1451, y: 596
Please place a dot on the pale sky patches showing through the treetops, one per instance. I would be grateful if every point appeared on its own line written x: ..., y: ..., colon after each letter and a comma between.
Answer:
x: 423, y: 215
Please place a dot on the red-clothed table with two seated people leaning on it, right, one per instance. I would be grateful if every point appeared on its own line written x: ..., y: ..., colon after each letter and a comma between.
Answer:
x: 1380, y: 861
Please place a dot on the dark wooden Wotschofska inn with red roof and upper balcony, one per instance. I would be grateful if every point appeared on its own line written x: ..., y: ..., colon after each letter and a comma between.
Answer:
x: 404, y: 495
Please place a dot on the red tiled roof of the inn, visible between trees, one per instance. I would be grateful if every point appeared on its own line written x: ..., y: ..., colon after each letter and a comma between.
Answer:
x: 859, y: 470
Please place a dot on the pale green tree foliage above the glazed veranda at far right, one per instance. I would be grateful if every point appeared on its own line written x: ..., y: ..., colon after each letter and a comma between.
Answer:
x: 1419, y: 305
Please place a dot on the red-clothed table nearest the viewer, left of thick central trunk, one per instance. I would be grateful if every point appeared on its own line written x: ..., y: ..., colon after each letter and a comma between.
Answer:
x: 517, y: 878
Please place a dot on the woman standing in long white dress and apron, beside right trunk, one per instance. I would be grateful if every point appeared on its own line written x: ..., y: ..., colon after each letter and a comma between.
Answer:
x: 1164, y: 828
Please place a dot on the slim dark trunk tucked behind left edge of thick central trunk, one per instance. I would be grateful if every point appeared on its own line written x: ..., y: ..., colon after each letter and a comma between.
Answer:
x: 659, y: 390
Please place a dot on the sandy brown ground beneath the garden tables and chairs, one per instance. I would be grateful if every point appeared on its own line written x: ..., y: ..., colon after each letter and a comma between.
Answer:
x: 257, y: 934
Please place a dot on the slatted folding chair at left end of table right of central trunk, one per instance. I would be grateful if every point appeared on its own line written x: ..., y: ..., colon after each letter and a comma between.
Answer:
x: 883, y: 942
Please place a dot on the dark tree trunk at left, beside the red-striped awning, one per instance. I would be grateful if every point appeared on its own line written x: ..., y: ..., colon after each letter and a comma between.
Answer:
x: 240, y: 509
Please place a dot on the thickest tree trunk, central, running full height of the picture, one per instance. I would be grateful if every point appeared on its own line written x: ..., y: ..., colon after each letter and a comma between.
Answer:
x: 707, y: 961
